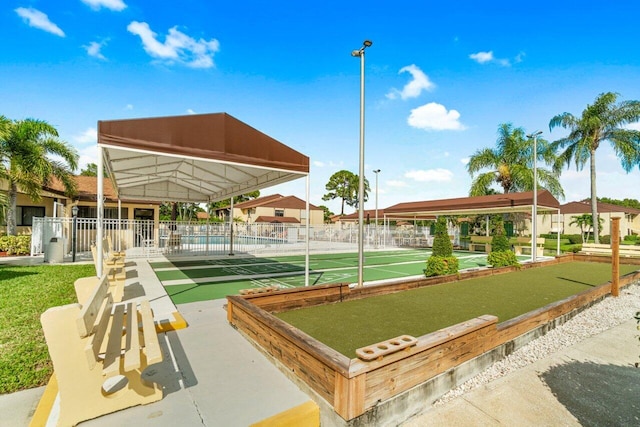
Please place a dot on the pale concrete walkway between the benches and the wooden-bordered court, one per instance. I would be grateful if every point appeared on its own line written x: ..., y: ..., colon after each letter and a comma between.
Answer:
x: 211, y: 375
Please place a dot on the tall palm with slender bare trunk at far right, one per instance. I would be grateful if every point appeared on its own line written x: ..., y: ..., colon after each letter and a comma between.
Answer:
x: 602, y: 121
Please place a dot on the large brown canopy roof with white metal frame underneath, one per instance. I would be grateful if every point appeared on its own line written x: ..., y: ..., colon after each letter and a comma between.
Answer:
x: 194, y: 158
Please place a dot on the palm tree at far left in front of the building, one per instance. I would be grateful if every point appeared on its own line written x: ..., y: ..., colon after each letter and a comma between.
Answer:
x: 25, y: 162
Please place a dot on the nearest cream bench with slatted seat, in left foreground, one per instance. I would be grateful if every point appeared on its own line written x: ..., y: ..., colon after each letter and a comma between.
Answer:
x: 99, y: 351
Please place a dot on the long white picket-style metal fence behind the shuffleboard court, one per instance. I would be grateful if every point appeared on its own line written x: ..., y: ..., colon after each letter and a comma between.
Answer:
x: 148, y: 238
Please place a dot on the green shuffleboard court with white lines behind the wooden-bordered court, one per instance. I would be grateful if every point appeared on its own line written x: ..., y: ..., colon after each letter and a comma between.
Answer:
x: 200, y: 280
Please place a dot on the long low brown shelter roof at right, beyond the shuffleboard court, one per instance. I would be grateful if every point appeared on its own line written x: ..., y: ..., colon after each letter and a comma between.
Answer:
x: 495, y: 203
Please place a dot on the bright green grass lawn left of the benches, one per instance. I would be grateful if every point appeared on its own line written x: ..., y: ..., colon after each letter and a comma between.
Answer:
x: 25, y: 293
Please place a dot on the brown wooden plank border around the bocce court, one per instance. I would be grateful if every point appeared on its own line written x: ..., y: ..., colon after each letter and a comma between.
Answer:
x: 352, y: 386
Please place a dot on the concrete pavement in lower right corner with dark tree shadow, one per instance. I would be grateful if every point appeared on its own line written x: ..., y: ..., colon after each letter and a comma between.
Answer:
x: 593, y: 383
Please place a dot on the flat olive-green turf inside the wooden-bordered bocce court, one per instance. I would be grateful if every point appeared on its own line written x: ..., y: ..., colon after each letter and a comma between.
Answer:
x: 353, y: 324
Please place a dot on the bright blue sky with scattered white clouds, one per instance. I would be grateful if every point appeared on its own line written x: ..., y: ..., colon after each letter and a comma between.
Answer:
x: 440, y: 77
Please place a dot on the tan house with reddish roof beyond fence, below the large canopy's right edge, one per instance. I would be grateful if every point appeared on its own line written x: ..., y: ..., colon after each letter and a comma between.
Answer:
x: 277, y: 208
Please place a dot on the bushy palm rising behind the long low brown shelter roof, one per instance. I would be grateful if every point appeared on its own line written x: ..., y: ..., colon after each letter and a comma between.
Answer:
x: 510, y: 164
